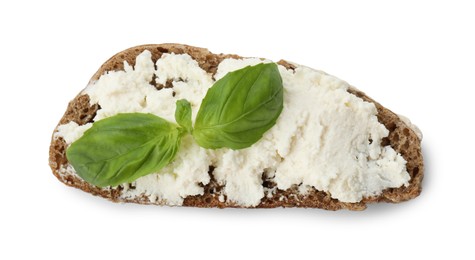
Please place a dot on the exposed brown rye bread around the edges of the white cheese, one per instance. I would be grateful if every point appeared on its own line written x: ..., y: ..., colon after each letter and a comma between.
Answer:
x: 401, y: 137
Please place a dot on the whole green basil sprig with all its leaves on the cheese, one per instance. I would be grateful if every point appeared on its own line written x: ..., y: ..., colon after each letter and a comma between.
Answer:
x: 236, y: 111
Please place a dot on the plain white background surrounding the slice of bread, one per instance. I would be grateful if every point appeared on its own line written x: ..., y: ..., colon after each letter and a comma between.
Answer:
x: 415, y: 57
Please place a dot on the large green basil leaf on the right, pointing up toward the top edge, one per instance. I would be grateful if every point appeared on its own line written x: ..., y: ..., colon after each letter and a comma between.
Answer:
x: 240, y: 107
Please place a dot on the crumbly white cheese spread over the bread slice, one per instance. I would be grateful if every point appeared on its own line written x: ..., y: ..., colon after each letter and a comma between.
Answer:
x: 325, y: 137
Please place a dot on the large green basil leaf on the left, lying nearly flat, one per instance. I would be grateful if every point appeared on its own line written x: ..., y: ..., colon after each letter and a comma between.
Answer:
x: 123, y: 148
